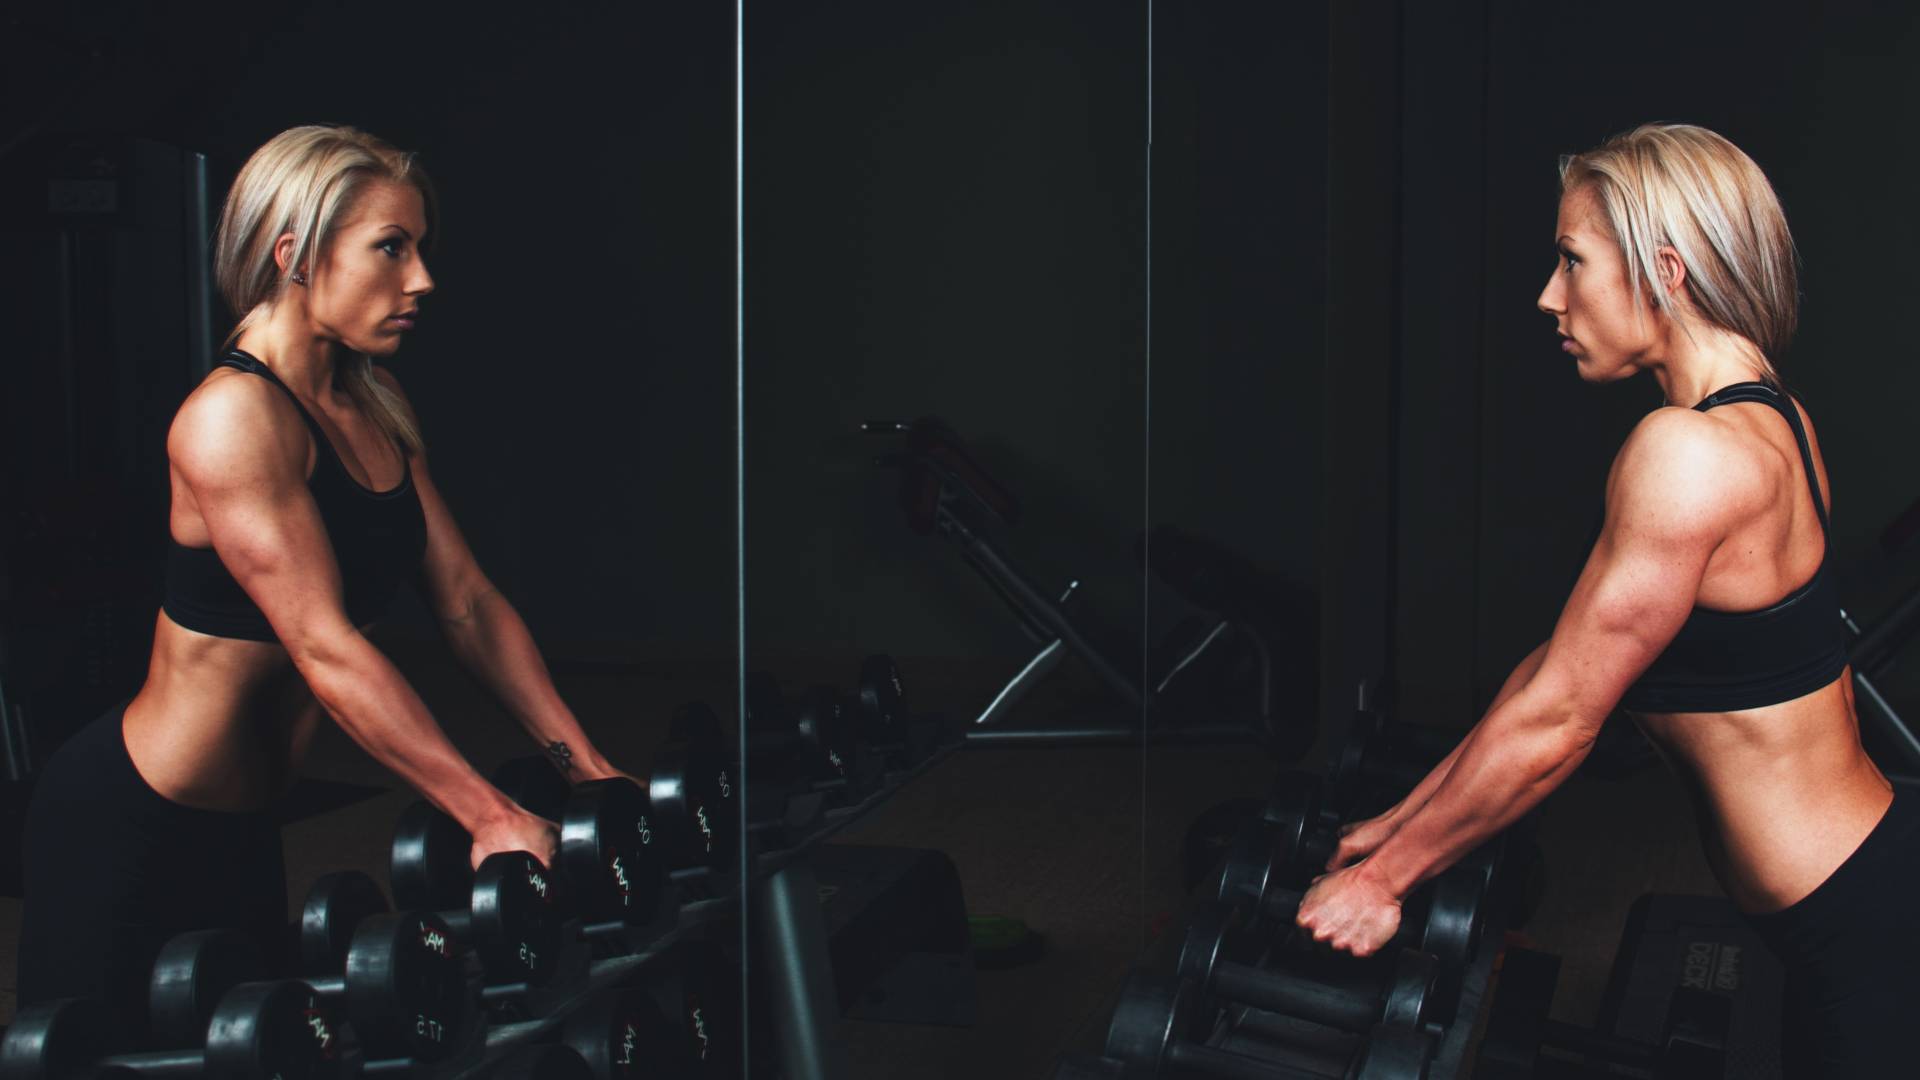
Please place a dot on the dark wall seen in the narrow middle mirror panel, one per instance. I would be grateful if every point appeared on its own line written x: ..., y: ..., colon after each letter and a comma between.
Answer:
x: 946, y: 216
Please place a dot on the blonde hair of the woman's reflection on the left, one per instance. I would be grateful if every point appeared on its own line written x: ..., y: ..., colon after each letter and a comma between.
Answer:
x: 304, y: 182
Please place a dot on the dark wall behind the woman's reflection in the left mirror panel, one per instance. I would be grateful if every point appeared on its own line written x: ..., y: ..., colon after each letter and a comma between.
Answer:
x: 573, y: 370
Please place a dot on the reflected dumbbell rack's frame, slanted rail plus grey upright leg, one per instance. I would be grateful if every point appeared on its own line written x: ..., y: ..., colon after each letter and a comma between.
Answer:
x: 782, y: 891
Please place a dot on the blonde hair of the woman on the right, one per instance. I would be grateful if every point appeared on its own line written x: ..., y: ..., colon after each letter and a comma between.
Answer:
x: 1687, y: 187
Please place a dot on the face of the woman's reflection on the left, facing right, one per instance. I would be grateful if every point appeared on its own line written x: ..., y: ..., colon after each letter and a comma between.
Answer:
x: 372, y: 278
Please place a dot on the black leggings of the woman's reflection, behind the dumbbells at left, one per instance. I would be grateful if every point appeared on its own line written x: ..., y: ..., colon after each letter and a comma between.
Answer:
x: 114, y: 870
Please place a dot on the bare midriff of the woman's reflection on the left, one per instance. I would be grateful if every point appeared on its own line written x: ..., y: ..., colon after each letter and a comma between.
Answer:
x: 220, y: 724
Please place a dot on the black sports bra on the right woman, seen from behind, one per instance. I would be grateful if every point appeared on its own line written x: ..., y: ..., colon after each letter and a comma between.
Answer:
x: 1742, y: 660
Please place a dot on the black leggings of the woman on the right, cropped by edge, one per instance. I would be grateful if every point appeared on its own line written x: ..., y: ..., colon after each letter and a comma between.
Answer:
x: 1852, y: 954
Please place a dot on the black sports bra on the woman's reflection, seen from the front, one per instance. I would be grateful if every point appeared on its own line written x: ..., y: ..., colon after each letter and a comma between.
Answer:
x: 379, y: 539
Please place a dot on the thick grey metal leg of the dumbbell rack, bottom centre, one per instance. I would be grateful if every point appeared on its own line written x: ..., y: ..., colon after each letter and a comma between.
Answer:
x: 800, y: 973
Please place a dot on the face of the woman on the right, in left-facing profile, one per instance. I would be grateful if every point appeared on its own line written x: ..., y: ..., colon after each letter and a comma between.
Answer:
x: 1591, y: 297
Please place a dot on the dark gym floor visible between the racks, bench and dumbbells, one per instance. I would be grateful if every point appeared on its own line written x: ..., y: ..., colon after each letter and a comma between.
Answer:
x: 1084, y: 845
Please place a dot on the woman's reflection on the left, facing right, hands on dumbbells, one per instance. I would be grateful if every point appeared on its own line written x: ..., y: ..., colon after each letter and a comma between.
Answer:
x: 300, y: 501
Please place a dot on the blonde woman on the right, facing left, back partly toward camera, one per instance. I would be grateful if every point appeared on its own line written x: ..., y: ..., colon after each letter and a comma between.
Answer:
x: 1704, y: 610
